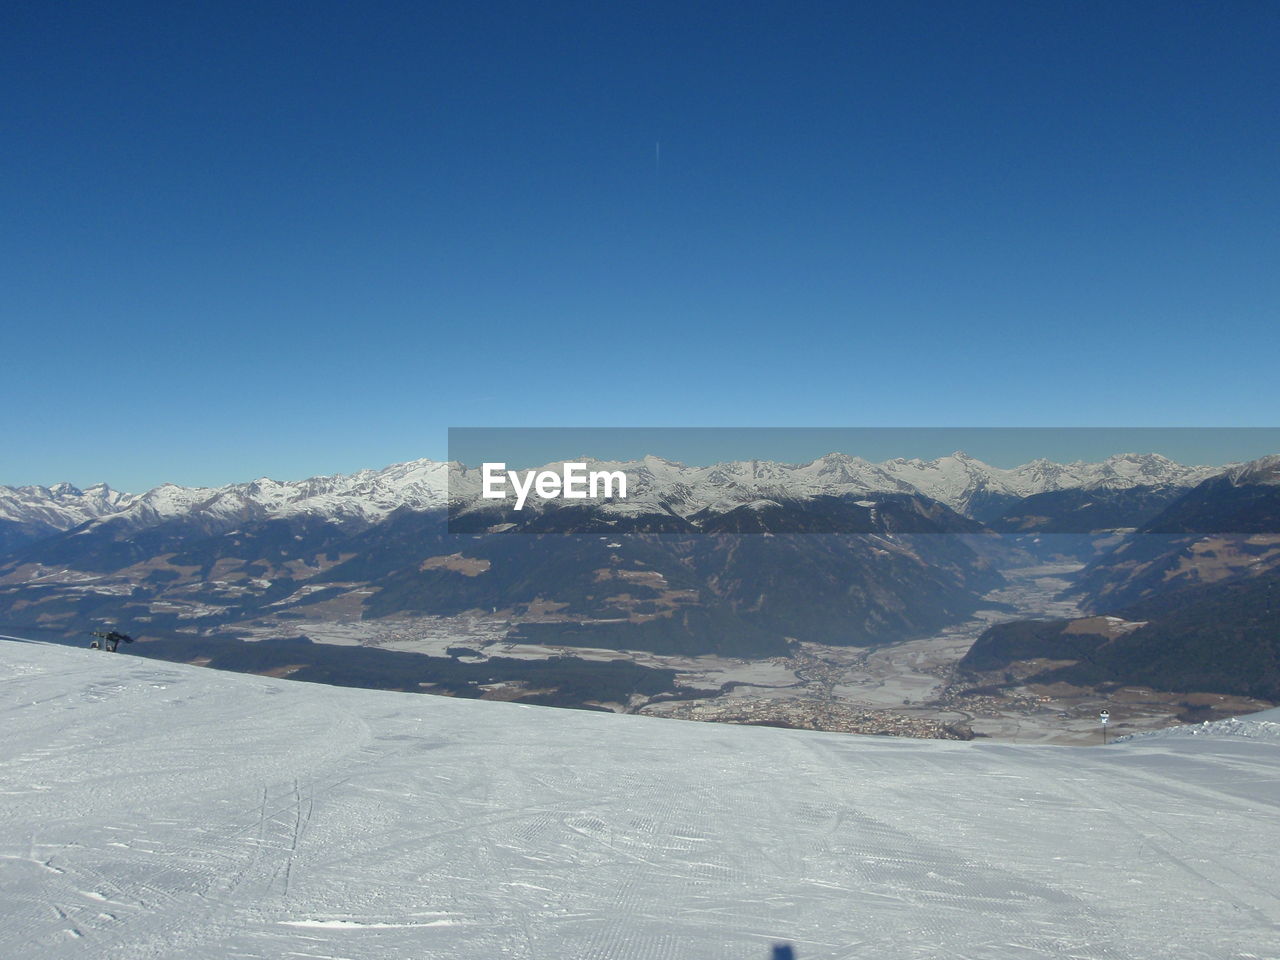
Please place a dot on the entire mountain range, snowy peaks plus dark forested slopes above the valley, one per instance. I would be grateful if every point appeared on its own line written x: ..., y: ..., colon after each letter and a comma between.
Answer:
x: 381, y: 546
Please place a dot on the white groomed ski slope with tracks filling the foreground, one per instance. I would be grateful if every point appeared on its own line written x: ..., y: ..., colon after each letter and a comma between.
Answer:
x: 161, y: 811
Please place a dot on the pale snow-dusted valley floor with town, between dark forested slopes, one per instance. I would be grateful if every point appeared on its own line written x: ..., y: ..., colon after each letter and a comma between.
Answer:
x: 907, y: 689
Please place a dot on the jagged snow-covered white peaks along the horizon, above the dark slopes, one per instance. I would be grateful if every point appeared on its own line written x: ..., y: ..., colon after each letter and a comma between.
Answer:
x: 961, y: 482
